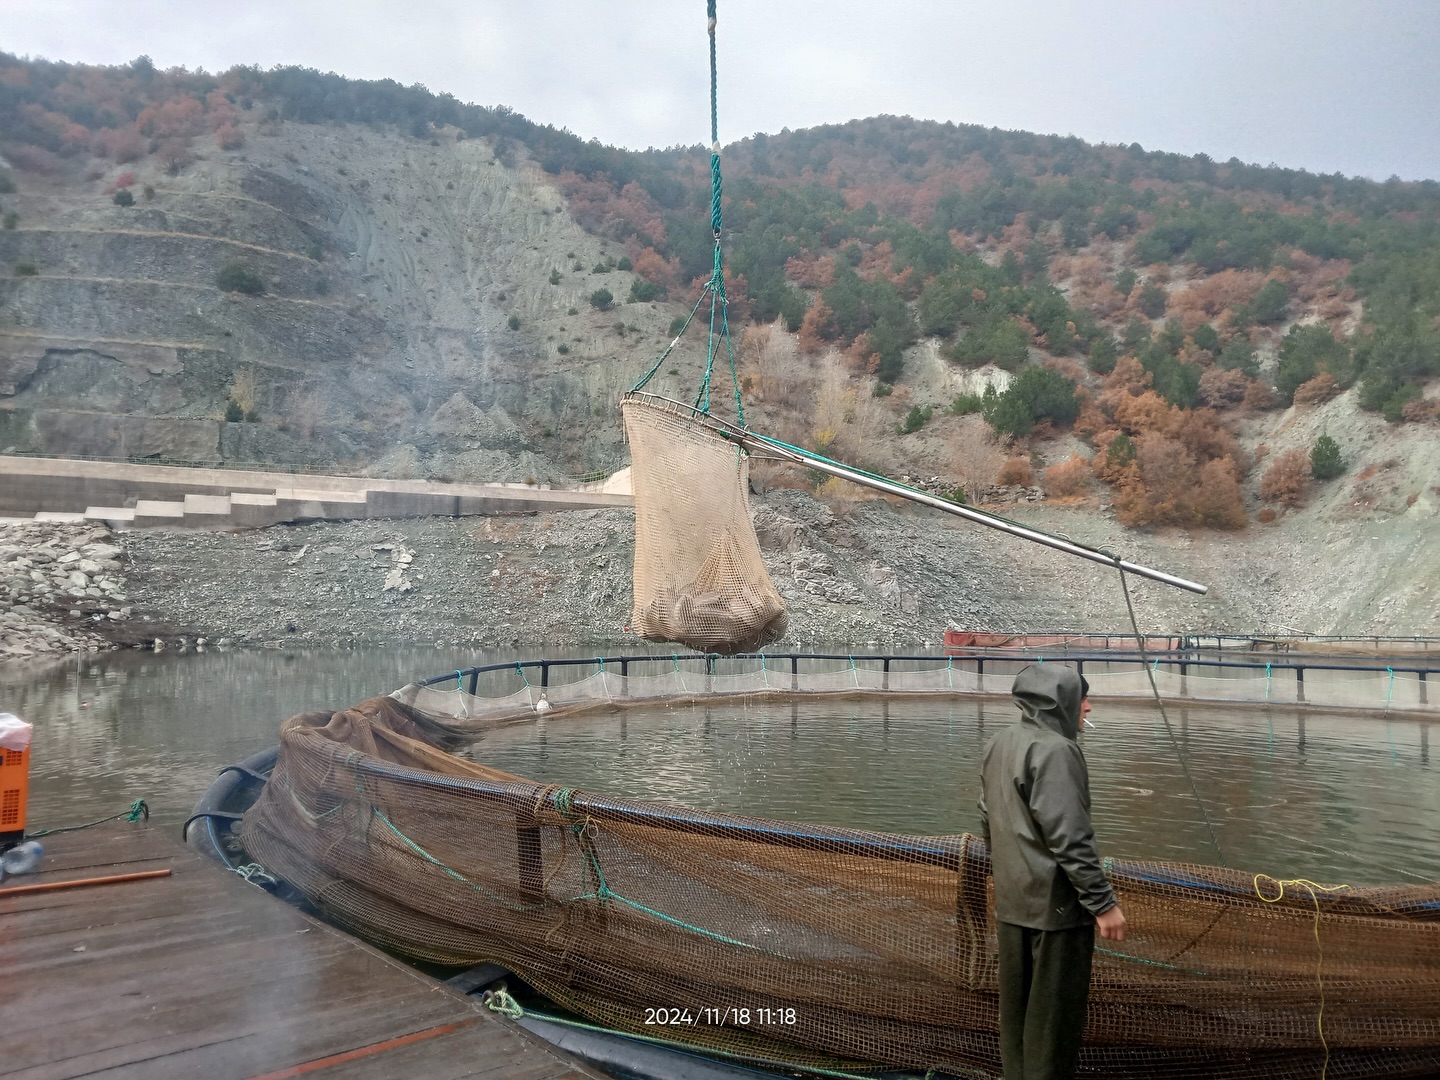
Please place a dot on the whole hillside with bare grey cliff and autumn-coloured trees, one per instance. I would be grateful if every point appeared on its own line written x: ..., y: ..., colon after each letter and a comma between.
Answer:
x: 289, y: 267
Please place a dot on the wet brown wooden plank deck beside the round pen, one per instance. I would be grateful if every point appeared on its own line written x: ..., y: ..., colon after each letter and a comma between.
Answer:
x: 204, y: 976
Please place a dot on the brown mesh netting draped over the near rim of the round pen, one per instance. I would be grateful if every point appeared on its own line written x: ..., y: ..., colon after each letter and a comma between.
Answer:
x: 813, y: 947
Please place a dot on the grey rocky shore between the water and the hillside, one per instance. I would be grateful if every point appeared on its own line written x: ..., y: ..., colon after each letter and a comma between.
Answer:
x: 869, y: 575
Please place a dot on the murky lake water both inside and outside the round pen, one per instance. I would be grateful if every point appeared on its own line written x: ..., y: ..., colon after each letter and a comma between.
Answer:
x: 1327, y: 796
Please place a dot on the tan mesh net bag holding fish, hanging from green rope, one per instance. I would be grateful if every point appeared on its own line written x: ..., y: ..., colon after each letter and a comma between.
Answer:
x: 699, y: 574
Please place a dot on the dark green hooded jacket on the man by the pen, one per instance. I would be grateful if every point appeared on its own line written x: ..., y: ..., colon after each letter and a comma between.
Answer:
x: 1036, y: 810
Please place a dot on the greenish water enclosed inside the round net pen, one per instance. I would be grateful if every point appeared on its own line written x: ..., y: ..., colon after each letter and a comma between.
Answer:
x: 1323, y: 796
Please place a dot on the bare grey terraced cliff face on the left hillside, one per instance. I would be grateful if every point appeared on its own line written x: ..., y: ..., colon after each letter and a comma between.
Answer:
x: 411, y: 320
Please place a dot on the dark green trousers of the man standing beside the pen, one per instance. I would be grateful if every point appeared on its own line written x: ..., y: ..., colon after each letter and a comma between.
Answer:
x: 1045, y: 981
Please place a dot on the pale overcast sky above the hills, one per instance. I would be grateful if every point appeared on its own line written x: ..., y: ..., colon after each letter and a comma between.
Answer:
x: 1328, y: 86
